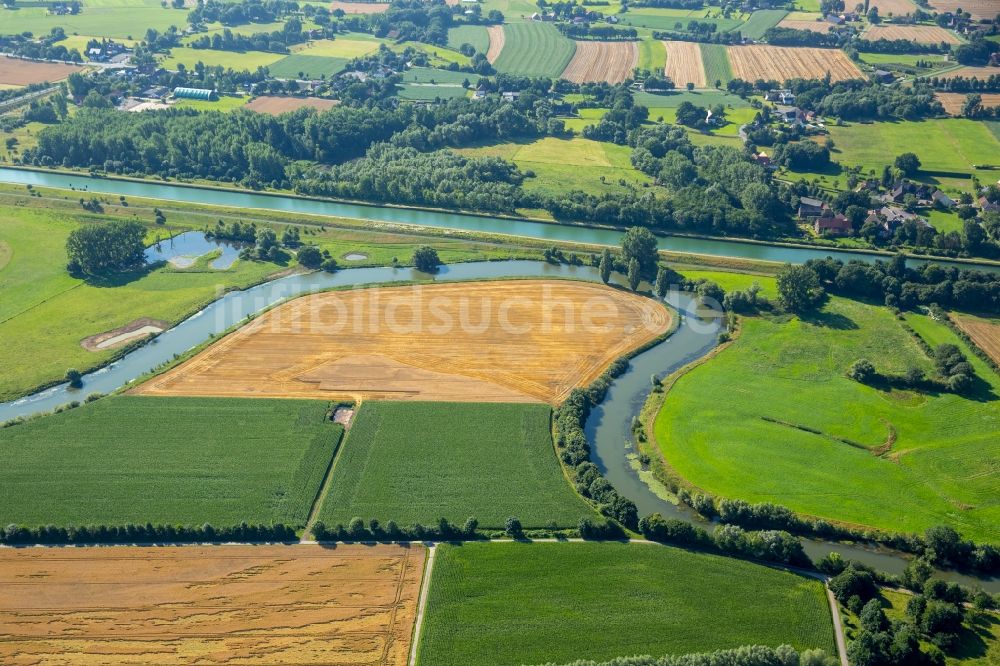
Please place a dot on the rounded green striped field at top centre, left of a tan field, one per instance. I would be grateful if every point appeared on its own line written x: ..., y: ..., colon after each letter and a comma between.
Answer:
x: 534, y: 49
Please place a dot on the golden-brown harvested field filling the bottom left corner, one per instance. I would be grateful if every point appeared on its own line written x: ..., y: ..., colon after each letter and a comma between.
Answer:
x: 213, y: 604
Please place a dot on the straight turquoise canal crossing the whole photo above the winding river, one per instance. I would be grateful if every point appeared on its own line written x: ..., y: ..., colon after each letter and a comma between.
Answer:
x: 427, y: 218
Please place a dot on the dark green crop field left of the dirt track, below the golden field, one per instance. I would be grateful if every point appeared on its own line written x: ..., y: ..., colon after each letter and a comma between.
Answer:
x: 179, y: 461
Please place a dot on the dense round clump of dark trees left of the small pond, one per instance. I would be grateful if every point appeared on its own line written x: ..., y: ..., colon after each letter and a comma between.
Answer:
x: 106, y: 247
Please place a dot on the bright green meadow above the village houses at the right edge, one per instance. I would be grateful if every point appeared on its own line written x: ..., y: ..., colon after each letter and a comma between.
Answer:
x: 950, y: 146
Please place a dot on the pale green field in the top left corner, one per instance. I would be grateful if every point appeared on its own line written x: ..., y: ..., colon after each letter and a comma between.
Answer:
x: 117, y: 18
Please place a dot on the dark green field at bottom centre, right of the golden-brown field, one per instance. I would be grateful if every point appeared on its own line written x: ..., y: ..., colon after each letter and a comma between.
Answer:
x: 512, y: 603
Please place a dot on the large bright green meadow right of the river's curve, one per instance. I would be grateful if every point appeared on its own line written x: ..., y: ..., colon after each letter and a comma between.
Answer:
x: 774, y: 418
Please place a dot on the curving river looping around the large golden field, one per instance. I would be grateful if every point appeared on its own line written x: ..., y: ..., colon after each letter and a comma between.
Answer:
x: 608, y: 427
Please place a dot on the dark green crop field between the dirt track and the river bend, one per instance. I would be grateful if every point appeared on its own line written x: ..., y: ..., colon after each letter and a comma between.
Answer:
x: 420, y: 461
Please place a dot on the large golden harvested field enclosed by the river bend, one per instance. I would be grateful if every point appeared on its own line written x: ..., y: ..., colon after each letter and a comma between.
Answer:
x: 505, y: 341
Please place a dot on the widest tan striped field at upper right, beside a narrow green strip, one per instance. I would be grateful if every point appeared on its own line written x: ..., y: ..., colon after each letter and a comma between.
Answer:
x: 780, y: 63
